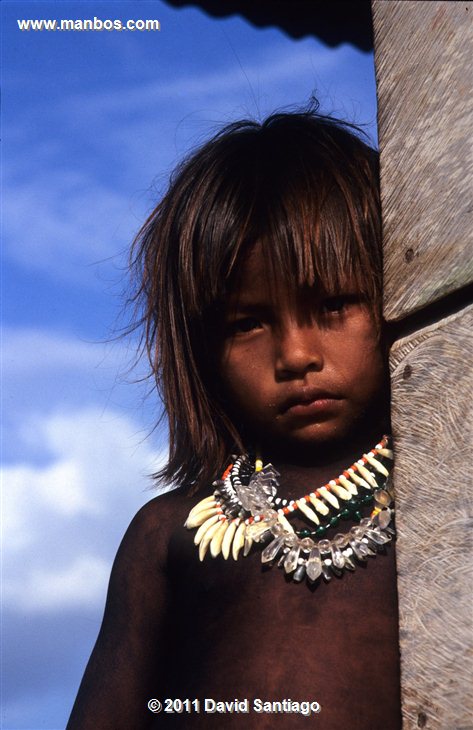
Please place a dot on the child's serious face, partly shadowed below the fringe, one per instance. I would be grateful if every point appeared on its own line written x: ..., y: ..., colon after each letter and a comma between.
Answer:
x: 299, y: 372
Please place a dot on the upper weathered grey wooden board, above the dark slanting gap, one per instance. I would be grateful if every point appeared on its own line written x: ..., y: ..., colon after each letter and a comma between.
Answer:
x: 423, y: 53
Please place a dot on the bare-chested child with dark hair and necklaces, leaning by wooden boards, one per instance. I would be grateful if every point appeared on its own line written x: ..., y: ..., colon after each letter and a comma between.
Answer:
x: 260, y: 279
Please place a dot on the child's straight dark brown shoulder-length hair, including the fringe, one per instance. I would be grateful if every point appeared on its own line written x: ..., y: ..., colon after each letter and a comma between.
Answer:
x: 303, y: 185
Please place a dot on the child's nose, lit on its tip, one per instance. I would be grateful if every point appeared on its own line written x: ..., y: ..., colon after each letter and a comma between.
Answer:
x: 298, y: 349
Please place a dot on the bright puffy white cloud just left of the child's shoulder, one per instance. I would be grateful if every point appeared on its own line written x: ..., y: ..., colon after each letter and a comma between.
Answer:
x: 62, y: 520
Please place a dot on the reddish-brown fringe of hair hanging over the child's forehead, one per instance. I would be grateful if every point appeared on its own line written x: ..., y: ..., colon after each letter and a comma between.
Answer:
x: 318, y: 234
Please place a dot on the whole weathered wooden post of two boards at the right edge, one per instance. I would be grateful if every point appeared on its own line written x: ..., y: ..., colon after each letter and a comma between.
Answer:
x: 423, y: 54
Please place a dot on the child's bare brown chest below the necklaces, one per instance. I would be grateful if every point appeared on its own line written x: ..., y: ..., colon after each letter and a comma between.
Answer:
x: 245, y: 632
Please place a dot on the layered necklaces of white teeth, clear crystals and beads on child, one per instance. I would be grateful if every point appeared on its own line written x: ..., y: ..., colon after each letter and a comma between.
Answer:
x: 245, y: 508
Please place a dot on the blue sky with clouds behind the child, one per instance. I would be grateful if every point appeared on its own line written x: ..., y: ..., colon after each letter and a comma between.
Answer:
x: 93, y: 123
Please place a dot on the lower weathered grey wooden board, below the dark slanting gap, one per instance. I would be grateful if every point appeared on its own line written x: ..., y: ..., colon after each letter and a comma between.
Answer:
x: 433, y: 440
